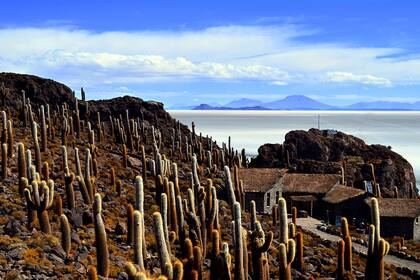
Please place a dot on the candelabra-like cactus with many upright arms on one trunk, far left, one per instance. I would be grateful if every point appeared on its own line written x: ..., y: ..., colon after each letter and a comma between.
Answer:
x: 41, y: 200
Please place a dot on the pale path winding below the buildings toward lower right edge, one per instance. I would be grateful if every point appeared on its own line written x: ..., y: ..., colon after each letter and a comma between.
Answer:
x: 310, y: 224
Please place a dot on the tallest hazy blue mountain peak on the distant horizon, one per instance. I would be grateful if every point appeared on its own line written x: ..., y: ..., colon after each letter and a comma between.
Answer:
x: 296, y: 102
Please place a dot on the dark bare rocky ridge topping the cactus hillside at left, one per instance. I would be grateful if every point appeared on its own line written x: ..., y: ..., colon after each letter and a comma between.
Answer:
x: 45, y: 91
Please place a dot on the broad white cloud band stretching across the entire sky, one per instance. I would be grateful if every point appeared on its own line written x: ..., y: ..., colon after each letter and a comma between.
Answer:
x: 267, y: 54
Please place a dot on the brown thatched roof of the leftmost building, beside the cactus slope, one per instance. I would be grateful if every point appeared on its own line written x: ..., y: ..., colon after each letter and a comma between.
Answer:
x: 260, y: 179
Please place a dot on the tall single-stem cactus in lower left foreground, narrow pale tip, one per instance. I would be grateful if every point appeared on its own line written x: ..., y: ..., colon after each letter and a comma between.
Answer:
x: 102, y: 254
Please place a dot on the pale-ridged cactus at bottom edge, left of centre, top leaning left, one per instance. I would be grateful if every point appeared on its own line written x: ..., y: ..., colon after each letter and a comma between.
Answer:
x: 161, y: 244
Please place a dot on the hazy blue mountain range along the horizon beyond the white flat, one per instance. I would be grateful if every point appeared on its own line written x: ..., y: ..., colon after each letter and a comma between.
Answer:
x: 301, y: 102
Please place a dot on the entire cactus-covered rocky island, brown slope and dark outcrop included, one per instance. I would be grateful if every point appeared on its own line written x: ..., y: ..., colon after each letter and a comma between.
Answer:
x: 118, y: 189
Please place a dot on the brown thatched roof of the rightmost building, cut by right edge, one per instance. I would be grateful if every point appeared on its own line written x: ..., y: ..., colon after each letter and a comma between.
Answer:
x: 398, y: 207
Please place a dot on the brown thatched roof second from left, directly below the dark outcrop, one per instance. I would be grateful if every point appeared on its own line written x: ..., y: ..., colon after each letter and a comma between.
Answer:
x: 309, y: 183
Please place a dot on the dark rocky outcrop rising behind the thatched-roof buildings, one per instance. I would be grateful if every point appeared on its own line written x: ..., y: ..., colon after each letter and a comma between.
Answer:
x: 325, y: 151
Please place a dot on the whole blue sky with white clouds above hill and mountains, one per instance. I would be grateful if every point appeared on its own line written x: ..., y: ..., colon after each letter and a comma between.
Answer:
x: 191, y: 52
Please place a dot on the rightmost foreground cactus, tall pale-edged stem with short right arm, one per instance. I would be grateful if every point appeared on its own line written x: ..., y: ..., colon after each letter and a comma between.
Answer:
x: 378, y: 248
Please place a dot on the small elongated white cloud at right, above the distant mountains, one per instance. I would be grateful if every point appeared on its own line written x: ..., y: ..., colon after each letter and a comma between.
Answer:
x: 345, y: 77
